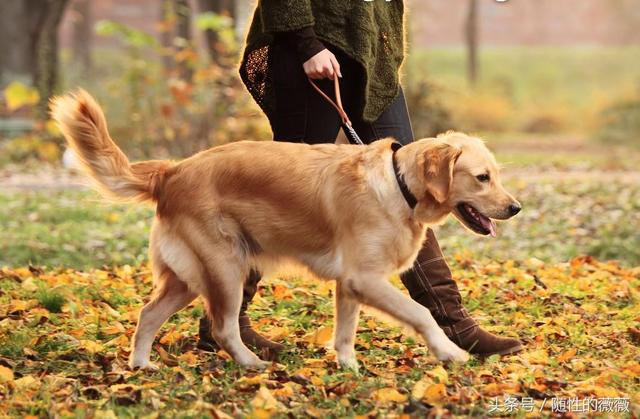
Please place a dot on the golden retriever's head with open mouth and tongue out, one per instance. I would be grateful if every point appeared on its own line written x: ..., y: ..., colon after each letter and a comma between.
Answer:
x: 459, y: 175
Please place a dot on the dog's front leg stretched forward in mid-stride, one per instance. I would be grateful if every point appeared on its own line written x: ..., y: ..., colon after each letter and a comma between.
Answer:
x: 377, y: 292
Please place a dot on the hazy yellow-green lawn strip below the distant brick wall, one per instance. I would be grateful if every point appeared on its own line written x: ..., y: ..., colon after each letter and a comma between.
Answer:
x: 535, y: 76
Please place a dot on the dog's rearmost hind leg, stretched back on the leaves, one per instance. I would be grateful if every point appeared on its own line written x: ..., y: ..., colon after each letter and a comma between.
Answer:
x: 170, y: 296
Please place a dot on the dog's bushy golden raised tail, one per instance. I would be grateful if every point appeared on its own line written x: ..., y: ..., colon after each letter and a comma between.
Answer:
x: 84, y: 126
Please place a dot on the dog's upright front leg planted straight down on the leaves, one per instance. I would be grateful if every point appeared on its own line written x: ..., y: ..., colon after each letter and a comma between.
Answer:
x: 347, y: 314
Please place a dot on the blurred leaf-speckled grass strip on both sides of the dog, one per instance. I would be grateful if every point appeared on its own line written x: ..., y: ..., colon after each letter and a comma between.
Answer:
x: 561, y: 219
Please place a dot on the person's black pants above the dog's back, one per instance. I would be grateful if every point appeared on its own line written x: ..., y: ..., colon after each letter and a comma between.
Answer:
x: 302, y: 115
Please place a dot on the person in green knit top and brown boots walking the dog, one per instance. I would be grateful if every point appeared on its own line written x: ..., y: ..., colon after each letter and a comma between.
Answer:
x: 361, y: 43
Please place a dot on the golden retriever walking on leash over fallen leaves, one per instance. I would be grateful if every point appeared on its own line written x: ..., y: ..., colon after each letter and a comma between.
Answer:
x: 336, y: 209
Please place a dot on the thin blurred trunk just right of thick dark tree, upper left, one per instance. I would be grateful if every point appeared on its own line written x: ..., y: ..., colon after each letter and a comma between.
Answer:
x: 81, y: 35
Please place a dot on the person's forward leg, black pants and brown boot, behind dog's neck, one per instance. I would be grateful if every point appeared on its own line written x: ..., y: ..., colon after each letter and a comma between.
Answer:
x: 429, y: 281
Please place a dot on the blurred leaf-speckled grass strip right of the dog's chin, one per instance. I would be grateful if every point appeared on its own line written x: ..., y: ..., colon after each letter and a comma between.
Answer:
x: 560, y: 220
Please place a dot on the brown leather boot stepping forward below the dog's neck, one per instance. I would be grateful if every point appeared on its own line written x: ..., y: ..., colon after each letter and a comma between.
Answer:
x: 429, y: 282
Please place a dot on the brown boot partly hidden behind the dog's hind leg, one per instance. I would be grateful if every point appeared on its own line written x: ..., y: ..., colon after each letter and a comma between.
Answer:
x: 249, y: 336
